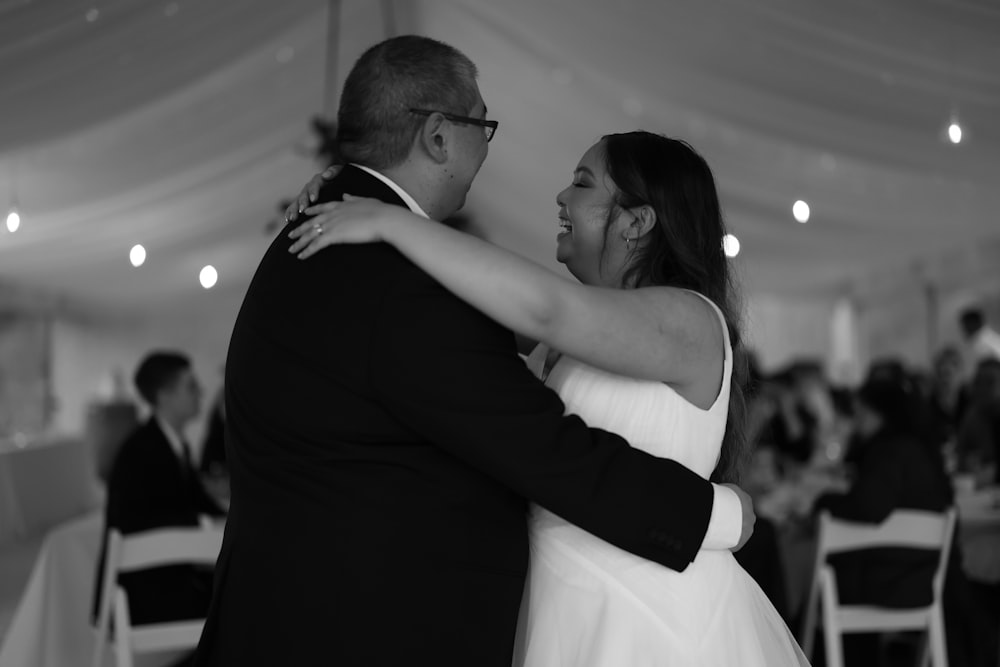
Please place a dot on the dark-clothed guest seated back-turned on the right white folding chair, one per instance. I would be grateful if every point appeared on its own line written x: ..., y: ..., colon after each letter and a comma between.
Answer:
x: 898, y: 467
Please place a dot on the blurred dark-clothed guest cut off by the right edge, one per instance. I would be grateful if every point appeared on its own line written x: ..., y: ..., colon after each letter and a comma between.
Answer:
x: 978, y: 445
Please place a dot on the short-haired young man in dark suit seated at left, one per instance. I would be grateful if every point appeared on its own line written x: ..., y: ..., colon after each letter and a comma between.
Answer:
x: 154, y: 484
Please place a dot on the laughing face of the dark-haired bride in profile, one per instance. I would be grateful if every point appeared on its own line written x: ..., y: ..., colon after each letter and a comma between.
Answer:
x: 584, y: 244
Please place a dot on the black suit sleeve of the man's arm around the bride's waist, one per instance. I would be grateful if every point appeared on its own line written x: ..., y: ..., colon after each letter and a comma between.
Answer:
x: 453, y: 376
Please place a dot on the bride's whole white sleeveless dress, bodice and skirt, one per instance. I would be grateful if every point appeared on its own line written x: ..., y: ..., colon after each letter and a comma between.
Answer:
x: 588, y: 603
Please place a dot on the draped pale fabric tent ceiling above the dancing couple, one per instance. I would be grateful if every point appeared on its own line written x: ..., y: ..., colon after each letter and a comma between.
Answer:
x: 179, y: 125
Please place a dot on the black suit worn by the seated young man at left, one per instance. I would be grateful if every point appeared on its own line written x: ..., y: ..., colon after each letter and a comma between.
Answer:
x: 151, y: 487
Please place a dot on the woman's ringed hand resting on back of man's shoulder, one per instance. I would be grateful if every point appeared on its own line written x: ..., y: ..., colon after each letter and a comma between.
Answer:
x: 354, y: 220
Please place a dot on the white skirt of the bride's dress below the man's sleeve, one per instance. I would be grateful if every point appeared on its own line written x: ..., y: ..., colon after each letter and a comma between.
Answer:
x: 590, y: 604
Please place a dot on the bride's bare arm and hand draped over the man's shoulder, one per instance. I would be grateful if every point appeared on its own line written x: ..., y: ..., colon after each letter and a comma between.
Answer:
x: 656, y: 333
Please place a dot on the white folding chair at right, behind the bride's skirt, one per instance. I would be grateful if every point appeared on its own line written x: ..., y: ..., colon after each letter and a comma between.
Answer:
x: 903, y: 528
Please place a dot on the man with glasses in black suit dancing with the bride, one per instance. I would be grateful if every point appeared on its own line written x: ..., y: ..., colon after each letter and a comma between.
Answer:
x: 382, y: 436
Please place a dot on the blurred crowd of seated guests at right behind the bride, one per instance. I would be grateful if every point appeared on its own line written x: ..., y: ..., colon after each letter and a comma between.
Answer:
x: 906, y: 438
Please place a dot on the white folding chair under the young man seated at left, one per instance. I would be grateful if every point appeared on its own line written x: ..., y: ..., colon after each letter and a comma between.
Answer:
x: 140, y: 551
